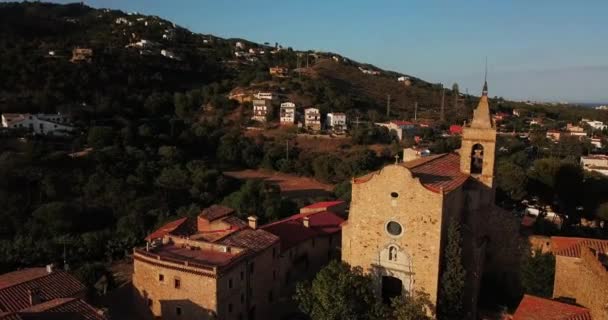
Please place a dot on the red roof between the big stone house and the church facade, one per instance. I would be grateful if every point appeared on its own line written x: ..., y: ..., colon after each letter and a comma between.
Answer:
x: 291, y: 231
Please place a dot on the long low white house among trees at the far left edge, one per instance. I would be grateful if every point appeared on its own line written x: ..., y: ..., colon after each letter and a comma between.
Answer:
x: 46, y: 124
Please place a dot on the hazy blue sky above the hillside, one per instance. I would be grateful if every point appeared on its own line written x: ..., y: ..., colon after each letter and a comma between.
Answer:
x: 537, y: 49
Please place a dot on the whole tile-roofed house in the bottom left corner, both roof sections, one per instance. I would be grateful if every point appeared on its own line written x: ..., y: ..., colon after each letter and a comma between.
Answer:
x: 44, y: 293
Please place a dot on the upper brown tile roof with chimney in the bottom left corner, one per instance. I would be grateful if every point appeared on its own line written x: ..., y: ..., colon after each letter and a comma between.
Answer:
x: 15, y: 287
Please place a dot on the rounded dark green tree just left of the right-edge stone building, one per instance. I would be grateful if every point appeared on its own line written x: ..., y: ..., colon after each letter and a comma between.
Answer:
x: 537, y: 273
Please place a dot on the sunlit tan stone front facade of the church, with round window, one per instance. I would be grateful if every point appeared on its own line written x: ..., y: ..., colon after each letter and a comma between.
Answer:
x: 417, y: 209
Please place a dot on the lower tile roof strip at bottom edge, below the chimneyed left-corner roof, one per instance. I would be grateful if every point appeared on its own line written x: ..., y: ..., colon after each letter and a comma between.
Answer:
x: 68, y: 308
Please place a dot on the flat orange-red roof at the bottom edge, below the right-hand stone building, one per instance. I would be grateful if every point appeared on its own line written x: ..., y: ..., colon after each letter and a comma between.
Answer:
x: 535, y: 308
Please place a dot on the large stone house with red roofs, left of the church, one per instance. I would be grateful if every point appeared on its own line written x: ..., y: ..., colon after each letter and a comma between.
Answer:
x: 217, y: 266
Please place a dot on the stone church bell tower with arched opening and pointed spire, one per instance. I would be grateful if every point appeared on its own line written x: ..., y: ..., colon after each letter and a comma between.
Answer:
x: 478, y: 149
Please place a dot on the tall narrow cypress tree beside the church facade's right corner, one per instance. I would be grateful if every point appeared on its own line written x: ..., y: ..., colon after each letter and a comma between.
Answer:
x: 453, y: 277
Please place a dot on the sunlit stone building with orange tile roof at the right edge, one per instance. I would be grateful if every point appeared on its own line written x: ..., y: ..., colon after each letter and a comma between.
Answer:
x: 581, y: 273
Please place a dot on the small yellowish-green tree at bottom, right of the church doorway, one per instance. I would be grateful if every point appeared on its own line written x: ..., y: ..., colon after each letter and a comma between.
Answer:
x: 413, y: 306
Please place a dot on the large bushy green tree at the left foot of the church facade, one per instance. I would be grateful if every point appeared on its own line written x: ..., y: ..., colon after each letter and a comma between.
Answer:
x: 339, y: 292
